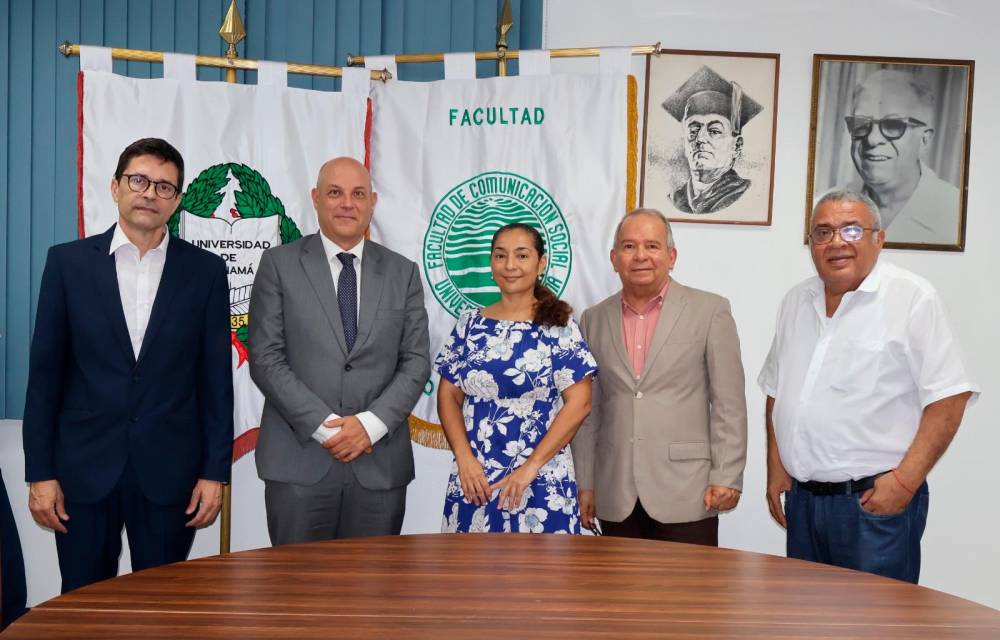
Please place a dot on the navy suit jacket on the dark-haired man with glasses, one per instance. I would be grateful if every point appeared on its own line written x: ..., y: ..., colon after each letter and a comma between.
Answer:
x: 92, y: 405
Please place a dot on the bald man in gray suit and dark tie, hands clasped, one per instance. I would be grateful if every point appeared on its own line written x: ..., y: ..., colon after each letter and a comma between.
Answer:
x: 339, y: 348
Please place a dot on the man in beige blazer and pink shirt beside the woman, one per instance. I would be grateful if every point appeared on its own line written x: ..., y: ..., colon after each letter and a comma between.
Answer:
x: 663, y: 450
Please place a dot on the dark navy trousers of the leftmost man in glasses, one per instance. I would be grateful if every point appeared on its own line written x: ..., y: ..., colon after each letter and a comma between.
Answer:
x: 89, y: 551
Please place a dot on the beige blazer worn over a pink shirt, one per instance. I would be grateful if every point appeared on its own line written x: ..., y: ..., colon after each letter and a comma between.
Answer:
x: 681, y: 426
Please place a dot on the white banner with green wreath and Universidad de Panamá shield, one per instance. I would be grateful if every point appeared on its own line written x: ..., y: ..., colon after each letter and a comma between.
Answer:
x: 251, y: 156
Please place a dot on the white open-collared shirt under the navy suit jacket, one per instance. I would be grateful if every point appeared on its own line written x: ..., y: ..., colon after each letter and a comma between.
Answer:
x: 138, y: 280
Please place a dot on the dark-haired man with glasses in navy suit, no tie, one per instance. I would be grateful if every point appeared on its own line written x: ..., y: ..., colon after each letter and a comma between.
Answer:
x: 128, y: 417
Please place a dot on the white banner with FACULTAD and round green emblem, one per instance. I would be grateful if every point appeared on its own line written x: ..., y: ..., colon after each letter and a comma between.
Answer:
x: 454, y: 160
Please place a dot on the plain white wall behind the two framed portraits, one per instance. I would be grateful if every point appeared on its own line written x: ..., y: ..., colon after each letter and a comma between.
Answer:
x: 754, y: 267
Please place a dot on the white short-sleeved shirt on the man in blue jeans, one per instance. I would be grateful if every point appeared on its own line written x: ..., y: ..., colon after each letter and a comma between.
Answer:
x: 850, y: 390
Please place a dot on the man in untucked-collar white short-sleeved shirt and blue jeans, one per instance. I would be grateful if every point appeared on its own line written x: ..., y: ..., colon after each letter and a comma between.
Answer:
x: 865, y: 390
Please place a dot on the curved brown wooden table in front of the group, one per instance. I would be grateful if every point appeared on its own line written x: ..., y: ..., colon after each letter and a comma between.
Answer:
x: 496, y: 585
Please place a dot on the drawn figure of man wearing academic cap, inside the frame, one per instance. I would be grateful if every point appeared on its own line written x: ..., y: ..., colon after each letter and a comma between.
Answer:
x: 712, y: 111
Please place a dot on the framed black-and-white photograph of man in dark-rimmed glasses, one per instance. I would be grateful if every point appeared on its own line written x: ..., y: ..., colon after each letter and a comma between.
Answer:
x: 897, y: 130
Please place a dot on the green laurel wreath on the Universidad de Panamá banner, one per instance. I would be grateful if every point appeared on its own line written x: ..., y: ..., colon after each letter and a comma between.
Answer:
x: 253, y: 200
